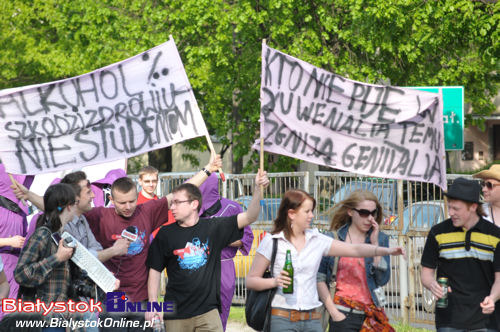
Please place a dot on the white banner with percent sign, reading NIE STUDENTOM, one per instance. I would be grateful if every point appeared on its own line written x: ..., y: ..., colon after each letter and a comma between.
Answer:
x: 137, y: 105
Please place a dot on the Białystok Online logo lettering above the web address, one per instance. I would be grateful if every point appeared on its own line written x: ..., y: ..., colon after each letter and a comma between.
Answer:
x: 115, y: 302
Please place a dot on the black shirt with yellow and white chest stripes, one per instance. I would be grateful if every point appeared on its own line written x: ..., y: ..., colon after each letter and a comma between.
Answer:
x: 469, y: 259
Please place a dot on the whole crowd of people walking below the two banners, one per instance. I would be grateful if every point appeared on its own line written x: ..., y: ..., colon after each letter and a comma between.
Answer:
x: 193, y: 234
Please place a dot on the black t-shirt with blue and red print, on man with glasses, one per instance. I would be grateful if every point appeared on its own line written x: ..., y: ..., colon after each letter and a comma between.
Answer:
x: 192, y: 258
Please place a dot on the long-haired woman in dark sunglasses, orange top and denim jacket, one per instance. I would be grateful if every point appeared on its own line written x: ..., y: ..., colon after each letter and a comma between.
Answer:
x: 355, y: 305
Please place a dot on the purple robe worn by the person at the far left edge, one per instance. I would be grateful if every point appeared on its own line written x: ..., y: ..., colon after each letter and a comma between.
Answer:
x: 12, y: 224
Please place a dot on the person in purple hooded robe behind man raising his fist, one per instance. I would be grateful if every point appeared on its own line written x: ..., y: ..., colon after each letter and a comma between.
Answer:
x: 213, y: 205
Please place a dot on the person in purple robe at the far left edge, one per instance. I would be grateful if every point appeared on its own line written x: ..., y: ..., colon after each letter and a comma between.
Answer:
x: 13, y: 226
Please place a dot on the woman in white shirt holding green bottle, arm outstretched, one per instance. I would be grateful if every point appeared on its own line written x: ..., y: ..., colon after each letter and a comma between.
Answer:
x: 292, y: 229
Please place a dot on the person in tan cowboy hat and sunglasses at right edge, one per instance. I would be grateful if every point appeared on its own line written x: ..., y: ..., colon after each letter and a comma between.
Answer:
x: 491, y: 192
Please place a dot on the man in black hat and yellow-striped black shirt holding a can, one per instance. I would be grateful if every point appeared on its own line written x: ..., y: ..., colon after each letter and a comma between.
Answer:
x: 464, y: 249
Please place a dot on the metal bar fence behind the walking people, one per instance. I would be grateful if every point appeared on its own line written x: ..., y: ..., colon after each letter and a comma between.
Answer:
x: 410, y: 209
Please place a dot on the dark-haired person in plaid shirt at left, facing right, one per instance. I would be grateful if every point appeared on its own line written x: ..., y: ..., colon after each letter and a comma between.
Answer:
x: 43, y: 265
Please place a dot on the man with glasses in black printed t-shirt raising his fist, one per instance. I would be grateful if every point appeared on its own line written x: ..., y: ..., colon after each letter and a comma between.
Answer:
x: 190, y: 250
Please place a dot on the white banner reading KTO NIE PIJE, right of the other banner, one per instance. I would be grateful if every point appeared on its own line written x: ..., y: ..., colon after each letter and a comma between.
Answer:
x: 320, y: 117
